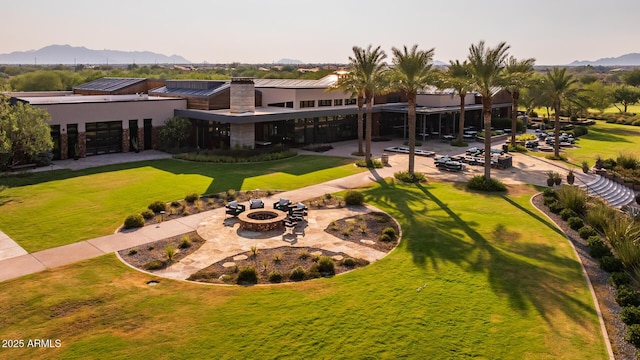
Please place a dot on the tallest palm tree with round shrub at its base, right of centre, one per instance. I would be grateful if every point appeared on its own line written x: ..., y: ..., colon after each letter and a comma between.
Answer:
x: 486, y: 66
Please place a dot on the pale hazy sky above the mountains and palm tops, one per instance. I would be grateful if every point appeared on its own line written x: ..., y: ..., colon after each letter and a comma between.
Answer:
x: 554, y: 32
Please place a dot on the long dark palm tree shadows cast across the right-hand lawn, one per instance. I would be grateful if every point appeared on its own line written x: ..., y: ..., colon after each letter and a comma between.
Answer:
x: 530, y: 275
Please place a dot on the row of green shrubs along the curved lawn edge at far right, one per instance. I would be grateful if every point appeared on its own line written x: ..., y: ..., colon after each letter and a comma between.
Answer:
x: 570, y: 203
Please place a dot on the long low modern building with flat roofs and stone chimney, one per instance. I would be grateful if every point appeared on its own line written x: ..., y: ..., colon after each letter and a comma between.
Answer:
x: 117, y: 114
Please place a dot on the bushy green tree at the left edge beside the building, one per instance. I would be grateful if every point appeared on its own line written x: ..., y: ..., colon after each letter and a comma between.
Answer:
x: 24, y: 133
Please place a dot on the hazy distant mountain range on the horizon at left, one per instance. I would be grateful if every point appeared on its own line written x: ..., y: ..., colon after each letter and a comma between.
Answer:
x: 66, y: 54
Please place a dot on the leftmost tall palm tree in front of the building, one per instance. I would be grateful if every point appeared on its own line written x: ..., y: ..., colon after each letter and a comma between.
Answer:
x: 370, y: 71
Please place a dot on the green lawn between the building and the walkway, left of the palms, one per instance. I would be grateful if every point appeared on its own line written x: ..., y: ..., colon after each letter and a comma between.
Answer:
x: 50, y: 209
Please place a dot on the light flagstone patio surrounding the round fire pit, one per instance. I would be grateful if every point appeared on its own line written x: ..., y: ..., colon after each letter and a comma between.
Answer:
x: 225, y: 238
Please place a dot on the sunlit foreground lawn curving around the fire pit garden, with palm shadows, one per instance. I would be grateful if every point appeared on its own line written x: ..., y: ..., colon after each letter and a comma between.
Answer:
x: 476, y: 275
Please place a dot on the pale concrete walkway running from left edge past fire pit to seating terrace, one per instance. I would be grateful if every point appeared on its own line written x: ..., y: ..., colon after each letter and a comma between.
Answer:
x: 526, y: 169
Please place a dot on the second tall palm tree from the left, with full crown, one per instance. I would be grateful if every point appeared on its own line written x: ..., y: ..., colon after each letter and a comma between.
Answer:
x: 411, y: 73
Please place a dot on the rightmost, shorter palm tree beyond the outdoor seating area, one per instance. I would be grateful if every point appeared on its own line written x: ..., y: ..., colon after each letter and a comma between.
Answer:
x: 558, y: 86
